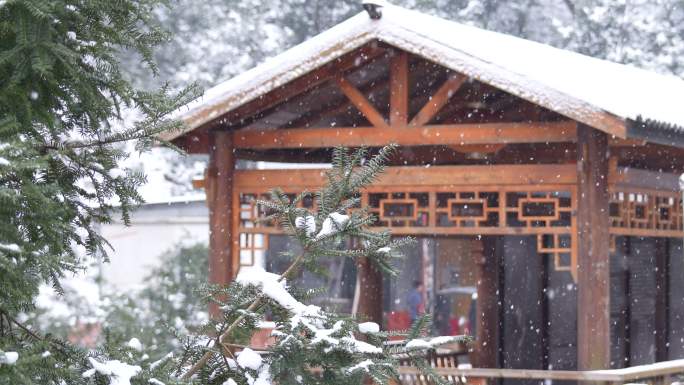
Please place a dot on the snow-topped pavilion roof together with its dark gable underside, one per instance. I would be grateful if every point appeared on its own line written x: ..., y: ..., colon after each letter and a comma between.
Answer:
x: 504, y: 70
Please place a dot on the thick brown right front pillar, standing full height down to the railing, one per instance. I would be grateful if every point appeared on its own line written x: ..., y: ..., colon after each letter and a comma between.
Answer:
x: 593, y: 278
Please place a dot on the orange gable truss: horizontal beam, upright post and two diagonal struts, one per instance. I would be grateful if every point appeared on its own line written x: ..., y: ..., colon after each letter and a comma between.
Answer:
x: 399, y: 127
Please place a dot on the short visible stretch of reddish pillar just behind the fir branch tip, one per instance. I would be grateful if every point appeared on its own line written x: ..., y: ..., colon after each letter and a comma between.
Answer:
x: 370, y: 295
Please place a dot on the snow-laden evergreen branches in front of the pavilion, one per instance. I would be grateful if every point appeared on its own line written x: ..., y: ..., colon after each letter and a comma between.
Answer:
x: 312, y: 346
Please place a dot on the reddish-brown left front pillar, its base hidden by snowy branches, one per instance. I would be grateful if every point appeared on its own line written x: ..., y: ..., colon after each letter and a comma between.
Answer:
x: 220, y: 200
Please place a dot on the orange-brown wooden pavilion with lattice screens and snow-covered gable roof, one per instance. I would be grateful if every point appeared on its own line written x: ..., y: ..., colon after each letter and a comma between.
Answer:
x: 541, y: 183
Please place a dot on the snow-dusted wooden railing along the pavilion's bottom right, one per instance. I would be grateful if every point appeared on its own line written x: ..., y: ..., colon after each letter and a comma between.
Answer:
x: 661, y: 373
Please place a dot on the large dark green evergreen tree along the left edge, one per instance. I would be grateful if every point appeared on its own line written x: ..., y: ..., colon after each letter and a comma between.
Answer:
x: 62, y: 102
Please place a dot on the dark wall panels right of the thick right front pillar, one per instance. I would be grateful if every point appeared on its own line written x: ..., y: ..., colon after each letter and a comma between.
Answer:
x: 635, y: 297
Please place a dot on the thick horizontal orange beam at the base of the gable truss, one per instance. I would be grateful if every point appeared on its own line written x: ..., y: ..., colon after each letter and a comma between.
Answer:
x: 453, y: 134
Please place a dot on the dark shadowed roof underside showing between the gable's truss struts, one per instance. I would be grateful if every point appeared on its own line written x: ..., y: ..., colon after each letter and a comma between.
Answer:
x: 326, y: 106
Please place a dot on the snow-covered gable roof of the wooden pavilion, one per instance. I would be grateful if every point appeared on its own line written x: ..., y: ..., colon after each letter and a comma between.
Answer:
x: 599, y: 93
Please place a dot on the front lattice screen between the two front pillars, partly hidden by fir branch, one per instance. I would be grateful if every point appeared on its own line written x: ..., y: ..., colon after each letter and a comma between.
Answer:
x: 545, y: 211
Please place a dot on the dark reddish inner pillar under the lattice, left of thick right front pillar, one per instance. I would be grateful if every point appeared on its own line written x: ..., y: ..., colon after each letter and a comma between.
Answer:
x: 488, y: 309
